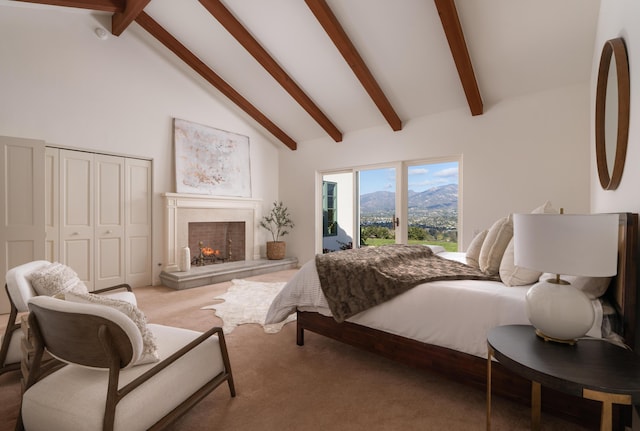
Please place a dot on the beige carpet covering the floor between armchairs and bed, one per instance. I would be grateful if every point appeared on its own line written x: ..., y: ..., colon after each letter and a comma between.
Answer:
x: 324, y: 385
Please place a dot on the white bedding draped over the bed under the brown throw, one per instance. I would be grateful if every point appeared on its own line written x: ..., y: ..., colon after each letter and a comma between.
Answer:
x: 456, y: 314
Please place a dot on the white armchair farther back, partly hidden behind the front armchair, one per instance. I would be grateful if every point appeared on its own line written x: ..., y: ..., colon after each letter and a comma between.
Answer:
x: 19, y: 290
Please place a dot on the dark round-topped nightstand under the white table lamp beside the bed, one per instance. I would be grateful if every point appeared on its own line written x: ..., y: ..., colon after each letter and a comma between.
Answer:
x: 592, y: 368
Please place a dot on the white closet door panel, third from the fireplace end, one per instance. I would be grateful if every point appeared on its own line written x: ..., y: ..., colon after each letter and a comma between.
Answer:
x: 76, y: 213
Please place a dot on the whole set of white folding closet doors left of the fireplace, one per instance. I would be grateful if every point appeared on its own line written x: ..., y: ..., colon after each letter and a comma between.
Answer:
x: 104, y: 225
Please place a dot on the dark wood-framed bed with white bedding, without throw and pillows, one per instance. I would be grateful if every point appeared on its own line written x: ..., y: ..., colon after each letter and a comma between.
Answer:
x: 453, y: 342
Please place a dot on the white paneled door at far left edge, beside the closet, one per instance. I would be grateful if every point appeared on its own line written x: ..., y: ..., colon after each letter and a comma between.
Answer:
x: 22, y: 205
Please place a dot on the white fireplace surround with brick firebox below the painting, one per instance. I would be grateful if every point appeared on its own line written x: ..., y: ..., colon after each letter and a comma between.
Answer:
x: 233, y: 219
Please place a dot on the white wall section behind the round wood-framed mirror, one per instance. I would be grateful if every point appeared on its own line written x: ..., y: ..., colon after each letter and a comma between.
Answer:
x: 619, y: 18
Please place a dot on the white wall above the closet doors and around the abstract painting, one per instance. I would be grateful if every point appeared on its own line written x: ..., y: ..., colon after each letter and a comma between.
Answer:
x: 61, y: 84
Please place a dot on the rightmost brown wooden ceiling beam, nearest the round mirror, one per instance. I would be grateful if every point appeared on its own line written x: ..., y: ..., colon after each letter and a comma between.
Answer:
x: 453, y: 30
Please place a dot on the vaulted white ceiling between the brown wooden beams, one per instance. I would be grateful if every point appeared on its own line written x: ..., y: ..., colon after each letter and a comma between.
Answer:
x: 516, y: 47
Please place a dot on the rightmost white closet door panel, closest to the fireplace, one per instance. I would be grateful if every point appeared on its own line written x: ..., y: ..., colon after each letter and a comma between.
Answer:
x: 138, y: 221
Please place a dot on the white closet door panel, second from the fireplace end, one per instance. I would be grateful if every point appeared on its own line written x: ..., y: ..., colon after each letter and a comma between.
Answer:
x: 109, y: 221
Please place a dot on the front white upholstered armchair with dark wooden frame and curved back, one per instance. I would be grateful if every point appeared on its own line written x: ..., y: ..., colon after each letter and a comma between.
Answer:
x: 108, y: 380
